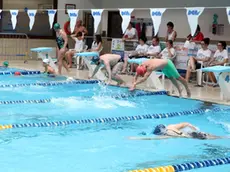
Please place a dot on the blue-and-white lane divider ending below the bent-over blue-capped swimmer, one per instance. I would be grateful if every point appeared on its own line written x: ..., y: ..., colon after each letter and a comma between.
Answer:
x: 51, y: 83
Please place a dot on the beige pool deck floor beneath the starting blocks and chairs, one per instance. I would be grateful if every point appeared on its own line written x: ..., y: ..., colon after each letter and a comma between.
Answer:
x: 205, y: 93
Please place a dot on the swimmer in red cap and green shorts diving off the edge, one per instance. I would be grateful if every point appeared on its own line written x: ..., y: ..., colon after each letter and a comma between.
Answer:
x: 167, y: 67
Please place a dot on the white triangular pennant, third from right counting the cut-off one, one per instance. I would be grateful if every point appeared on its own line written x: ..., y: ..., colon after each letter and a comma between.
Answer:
x: 156, y: 15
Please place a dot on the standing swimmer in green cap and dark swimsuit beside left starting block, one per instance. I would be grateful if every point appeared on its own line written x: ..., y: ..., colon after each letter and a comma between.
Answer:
x: 62, y: 46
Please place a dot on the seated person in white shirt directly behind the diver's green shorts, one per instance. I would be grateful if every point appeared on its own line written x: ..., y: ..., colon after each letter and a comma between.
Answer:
x: 169, y: 52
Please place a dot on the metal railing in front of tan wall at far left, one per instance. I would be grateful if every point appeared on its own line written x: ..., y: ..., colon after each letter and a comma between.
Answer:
x: 14, y: 46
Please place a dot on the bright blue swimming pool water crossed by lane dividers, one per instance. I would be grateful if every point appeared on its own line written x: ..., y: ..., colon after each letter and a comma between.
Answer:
x: 103, y: 117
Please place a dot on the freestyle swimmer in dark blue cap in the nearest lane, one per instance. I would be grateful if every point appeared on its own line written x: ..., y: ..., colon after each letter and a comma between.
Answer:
x: 176, y: 131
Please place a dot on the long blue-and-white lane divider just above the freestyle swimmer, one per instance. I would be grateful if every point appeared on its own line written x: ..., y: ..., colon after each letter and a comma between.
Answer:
x: 108, y: 120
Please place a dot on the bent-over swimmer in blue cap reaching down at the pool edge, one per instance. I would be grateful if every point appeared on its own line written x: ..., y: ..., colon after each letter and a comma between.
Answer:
x: 113, y: 65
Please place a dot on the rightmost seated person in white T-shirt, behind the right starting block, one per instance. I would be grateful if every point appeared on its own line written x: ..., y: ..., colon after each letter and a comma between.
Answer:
x: 219, y: 59
